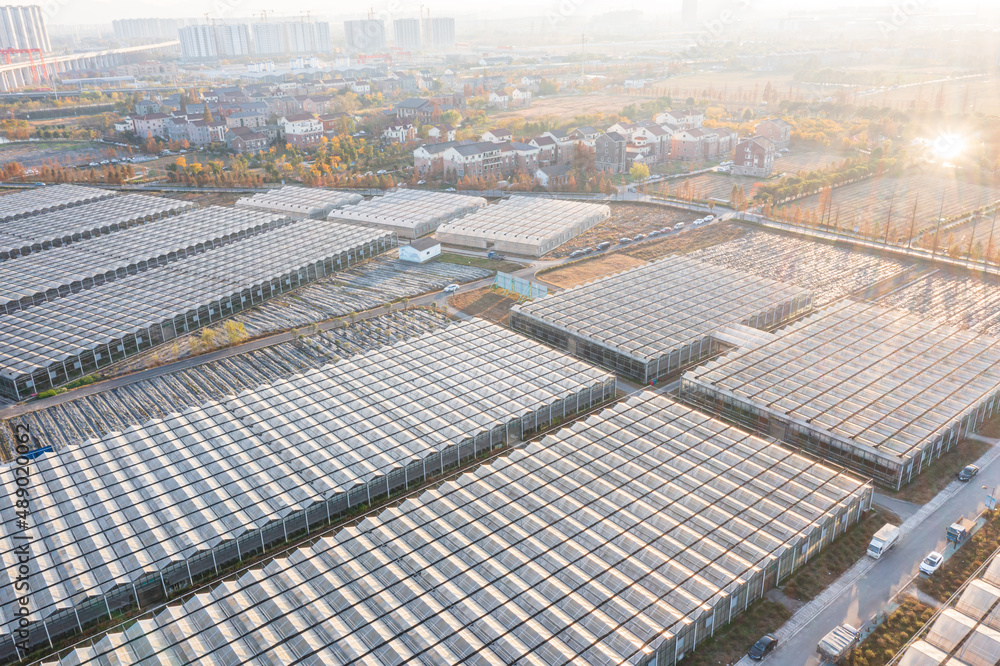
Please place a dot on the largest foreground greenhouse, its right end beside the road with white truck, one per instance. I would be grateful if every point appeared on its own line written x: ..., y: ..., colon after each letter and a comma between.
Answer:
x: 630, y: 538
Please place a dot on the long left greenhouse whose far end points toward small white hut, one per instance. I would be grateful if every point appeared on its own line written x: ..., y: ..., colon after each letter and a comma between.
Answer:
x: 56, y: 341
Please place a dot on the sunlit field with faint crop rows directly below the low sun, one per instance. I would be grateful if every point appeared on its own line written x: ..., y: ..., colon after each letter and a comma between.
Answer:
x: 869, y: 200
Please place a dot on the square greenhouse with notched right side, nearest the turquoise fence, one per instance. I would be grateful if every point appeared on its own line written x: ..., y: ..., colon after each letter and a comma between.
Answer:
x: 651, y: 321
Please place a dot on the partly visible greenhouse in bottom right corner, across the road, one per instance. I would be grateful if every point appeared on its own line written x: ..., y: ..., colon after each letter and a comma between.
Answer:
x: 966, y: 634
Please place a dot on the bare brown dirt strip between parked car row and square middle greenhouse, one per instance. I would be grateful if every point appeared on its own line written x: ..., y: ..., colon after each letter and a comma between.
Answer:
x: 587, y: 270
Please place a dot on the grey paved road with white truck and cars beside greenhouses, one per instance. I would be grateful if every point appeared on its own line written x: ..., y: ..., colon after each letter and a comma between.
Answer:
x: 857, y: 601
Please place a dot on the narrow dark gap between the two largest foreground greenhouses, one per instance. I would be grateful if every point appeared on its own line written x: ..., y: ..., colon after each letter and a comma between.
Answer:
x: 181, y: 597
